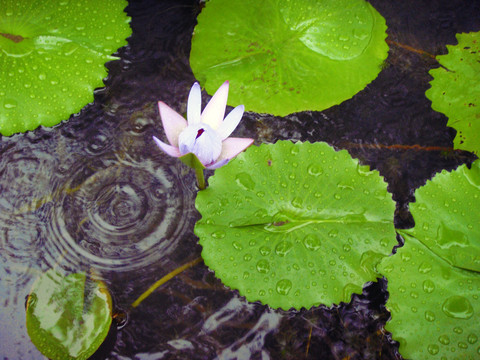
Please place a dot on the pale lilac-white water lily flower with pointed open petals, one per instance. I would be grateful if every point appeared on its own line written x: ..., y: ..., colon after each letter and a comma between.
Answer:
x: 204, y: 134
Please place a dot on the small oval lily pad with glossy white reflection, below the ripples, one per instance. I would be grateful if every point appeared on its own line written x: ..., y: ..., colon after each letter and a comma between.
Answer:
x: 68, y: 317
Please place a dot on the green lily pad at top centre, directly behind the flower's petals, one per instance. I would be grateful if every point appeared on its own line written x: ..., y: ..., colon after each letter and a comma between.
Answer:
x: 285, y: 56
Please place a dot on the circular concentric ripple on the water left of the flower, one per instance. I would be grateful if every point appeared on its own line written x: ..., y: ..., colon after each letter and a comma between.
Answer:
x: 119, y: 217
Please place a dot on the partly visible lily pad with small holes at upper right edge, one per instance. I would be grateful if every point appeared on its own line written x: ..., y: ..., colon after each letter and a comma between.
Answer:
x: 455, y: 90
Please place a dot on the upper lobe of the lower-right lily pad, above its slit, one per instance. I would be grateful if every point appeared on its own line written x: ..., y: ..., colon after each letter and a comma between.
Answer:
x: 447, y: 216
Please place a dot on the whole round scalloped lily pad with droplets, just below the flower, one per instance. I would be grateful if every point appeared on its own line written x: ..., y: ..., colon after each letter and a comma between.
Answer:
x: 295, y: 225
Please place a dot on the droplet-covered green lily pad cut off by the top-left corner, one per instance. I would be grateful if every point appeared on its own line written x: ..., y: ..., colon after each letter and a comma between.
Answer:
x: 52, y: 55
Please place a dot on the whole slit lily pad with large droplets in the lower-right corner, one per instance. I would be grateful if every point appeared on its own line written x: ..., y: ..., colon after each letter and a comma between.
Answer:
x: 434, y: 280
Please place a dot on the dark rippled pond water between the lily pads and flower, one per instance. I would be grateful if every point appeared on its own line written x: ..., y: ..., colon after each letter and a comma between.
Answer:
x: 94, y: 192
